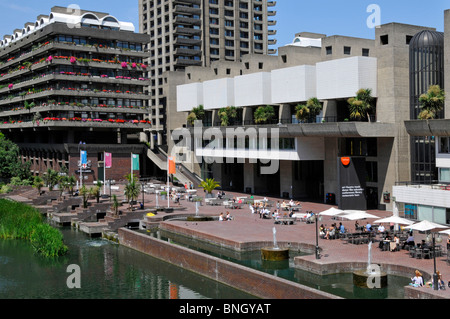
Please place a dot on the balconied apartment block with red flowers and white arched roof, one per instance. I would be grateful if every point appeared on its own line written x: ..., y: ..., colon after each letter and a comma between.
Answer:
x: 73, y: 81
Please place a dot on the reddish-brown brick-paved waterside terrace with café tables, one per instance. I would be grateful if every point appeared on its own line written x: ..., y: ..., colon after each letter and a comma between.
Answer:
x: 248, y: 231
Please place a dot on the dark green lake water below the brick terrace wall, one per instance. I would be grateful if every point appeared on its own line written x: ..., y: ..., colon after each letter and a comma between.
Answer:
x: 108, y: 271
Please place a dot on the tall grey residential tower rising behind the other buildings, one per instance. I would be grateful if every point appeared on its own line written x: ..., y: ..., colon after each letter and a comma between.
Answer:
x: 187, y: 33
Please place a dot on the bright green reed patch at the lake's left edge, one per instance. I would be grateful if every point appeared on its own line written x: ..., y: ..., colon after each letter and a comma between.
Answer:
x: 21, y: 221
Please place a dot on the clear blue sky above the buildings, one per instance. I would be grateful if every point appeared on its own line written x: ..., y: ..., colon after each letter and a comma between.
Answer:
x: 330, y: 17
